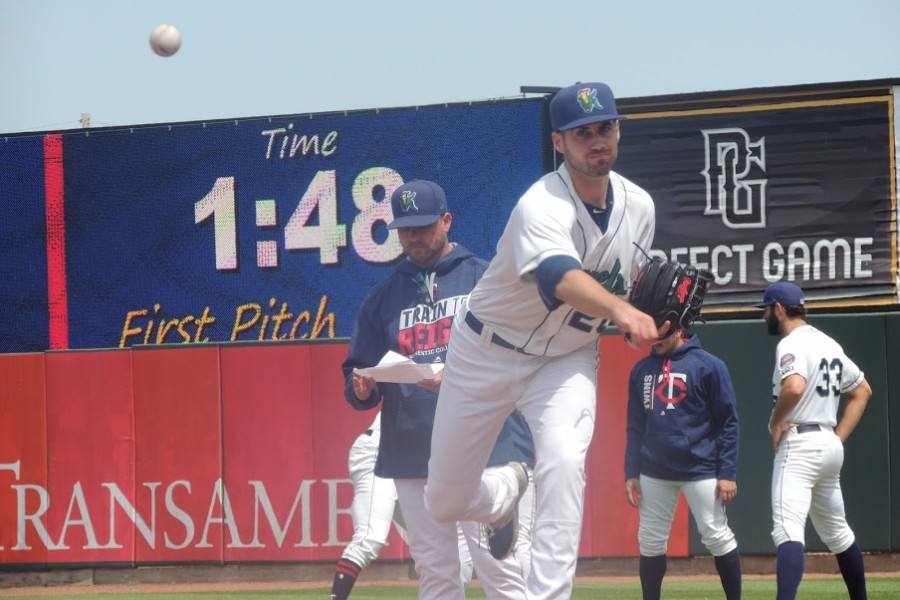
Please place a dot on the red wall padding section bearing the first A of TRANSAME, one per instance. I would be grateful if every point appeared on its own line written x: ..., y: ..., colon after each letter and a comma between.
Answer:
x: 90, y: 450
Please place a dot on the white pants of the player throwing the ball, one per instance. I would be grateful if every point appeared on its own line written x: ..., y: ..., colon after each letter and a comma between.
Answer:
x: 482, y: 384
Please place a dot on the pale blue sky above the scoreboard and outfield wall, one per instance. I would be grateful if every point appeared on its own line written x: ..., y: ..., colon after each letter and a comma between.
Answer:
x: 60, y: 59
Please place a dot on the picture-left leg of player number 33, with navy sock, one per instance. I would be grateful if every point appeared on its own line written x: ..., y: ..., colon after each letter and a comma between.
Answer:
x: 794, y: 473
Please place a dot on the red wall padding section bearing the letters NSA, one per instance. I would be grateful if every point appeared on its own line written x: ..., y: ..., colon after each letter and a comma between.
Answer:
x: 178, y: 454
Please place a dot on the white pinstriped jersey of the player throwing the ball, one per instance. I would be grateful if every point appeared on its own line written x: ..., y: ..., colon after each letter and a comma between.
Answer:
x: 551, y: 220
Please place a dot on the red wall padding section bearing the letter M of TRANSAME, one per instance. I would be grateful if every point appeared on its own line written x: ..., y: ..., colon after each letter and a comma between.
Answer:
x: 269, y: 470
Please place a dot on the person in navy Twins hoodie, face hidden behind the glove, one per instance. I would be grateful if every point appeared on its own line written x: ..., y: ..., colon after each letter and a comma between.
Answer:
x: 682, y: 437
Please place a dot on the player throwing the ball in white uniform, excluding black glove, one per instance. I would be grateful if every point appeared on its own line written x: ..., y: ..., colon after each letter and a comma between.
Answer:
x: 528, y: 339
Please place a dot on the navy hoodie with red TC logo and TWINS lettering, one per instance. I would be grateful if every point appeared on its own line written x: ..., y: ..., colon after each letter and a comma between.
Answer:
x: 682, y: 417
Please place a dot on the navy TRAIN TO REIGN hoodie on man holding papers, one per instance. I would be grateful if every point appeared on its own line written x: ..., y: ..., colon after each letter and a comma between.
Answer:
x: 410, y: 313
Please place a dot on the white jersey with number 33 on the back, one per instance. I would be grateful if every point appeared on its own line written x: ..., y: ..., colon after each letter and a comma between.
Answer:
x: 828, y: 371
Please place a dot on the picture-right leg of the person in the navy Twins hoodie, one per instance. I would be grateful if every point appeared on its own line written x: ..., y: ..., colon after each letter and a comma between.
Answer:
x: 712, y: 523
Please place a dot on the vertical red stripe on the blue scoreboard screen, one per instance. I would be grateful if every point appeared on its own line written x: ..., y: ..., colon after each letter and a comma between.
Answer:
x: 57, y: 296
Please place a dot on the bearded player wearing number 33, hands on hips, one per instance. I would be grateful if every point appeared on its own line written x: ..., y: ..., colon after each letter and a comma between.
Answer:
x: 811, y: 374
